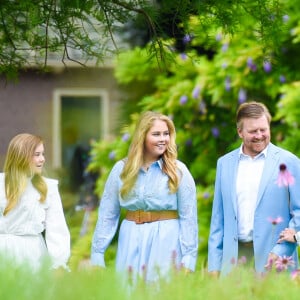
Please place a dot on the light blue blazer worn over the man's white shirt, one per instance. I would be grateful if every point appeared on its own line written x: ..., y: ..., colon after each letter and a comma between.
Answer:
x: 272, y: 202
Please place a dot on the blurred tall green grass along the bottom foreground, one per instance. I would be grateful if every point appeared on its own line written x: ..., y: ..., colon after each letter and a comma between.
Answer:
x: 102, y: 284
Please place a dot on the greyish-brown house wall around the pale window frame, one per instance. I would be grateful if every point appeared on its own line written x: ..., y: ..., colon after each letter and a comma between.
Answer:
x: 27, y: 104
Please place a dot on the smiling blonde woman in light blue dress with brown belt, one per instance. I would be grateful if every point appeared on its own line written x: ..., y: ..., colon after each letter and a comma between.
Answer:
x: 160, y: 229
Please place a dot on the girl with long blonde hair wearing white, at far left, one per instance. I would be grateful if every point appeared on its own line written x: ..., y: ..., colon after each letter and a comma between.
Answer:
x: 30, y: 204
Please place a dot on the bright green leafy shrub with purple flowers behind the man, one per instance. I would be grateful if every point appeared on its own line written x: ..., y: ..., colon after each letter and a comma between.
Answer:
x: 215, y: 71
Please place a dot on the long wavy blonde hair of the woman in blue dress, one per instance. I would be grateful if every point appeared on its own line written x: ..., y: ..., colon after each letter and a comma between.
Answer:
x: 134, y: 160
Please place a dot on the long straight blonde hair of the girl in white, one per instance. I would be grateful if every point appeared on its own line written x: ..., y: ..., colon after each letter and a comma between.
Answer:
x: 18, y: 169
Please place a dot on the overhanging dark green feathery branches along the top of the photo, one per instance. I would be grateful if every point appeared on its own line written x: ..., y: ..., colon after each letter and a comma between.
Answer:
x: 33, y: 31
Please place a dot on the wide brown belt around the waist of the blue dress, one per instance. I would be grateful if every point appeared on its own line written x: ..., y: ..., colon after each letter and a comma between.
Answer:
x: 141, y: 216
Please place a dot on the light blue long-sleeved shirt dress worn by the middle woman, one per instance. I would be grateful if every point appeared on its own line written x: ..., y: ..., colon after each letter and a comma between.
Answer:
x: 149, y: 250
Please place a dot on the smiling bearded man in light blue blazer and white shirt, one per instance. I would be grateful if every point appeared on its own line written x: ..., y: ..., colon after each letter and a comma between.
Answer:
x: 250, y: 208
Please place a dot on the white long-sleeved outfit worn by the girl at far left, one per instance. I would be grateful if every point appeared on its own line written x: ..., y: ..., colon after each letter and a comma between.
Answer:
x: 21, y: 229
